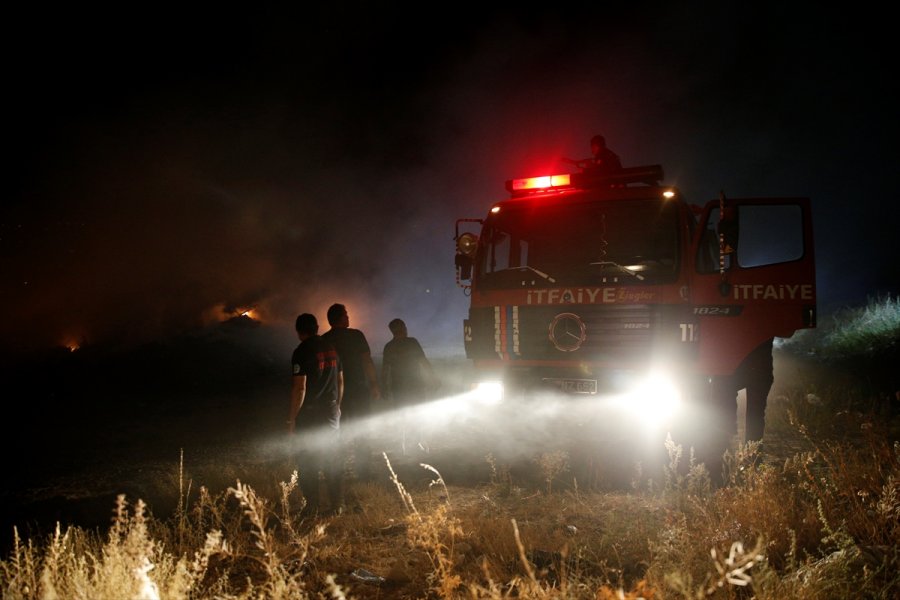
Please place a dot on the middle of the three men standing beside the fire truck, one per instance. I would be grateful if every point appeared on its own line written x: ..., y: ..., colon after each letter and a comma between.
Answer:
x: 361, y: 387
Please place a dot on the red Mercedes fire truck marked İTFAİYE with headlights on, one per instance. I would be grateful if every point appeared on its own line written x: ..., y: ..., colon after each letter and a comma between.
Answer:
x: 612, y: 287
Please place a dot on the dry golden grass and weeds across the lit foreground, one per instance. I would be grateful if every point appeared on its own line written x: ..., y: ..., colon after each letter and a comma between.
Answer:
x: 824, y: 522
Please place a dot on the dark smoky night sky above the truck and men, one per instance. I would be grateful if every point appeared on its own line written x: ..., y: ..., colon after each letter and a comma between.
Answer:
x: 169, y: 169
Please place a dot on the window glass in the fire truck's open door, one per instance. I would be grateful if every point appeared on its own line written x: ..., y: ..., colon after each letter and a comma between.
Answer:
x: 770, y: 234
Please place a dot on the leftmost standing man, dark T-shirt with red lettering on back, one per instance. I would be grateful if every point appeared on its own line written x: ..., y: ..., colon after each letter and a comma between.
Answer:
x: 315, y: 414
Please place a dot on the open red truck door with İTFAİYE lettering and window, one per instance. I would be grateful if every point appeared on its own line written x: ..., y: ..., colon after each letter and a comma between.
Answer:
x: 754, y: 277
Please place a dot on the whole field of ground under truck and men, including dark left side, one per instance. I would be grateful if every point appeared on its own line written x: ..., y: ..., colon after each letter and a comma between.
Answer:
x: 197, y: 499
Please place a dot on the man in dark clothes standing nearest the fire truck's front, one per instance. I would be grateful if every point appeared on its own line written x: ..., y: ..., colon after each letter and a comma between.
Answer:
x: 406, y: 374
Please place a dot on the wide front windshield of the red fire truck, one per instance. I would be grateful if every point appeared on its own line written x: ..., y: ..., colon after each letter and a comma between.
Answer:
x: 568, y: 243
